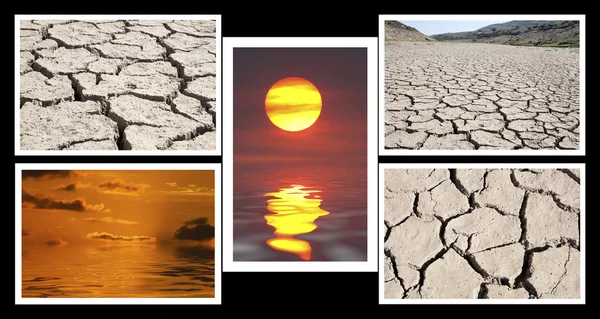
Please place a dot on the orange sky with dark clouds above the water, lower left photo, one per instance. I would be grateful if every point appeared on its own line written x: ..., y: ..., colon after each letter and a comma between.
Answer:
x: 117, y: 206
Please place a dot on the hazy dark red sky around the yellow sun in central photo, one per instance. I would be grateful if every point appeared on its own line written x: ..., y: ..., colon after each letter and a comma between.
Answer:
x: 339, y: 134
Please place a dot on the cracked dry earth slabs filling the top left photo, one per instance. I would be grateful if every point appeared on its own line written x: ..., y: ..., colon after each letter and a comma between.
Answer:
x: 126, y: 85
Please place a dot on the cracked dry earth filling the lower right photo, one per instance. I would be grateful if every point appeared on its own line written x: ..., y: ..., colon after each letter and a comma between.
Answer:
x: 477, y: 233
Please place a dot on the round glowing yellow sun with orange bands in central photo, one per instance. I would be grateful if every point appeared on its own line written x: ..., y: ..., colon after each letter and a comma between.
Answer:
x: 293, y: 104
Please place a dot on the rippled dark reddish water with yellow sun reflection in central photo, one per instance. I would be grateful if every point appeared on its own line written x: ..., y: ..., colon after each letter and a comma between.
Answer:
x: 295, y: 214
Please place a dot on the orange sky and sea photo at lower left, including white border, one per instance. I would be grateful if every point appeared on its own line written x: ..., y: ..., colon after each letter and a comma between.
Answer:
x: 118, y: 234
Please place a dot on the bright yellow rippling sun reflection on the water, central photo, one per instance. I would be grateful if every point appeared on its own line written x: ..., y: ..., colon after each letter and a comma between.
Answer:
x: 293, y: 211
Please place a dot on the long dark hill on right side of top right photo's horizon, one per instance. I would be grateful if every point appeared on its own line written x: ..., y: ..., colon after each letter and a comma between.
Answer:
x: 528, y: 33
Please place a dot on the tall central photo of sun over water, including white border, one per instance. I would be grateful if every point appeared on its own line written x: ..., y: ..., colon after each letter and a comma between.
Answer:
x: 264, y: 210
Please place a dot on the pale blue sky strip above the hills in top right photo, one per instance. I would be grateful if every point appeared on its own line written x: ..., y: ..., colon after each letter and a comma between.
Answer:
x: 430, y: 27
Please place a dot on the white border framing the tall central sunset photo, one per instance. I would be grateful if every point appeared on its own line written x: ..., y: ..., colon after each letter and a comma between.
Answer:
x: 229, y: 265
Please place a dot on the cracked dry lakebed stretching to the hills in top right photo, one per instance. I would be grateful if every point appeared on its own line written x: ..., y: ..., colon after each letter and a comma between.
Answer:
x: 467, y: 96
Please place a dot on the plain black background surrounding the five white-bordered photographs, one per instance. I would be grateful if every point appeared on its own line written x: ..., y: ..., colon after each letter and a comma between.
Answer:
x: 294, y: 293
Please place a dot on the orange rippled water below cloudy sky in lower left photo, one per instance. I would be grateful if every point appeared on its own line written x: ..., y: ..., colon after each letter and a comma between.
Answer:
x: 124, y: 271
